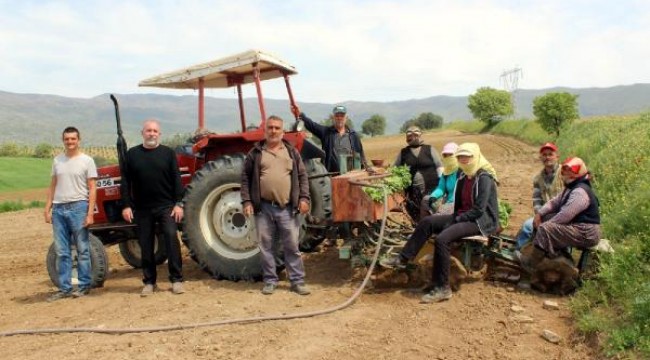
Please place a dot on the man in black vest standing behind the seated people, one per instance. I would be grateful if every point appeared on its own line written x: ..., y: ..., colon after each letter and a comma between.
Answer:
x: 425, y: 167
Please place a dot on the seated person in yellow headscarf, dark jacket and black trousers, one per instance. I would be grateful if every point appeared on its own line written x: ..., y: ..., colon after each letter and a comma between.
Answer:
x: 475, y: 212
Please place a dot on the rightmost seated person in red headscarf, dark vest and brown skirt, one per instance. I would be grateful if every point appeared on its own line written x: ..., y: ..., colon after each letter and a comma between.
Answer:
x: 574, y: 217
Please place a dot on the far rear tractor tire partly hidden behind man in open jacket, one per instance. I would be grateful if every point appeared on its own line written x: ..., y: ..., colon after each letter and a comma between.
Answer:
x: 320, y: 192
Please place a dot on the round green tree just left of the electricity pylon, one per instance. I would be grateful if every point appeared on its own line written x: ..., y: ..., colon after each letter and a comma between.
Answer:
x: 490, y: 105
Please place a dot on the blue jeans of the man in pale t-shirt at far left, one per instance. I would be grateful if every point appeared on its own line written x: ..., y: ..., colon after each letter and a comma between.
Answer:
x: 68, y: 227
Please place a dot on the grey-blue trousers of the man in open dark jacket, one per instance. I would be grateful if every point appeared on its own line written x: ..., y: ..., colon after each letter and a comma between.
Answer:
x: 273, y: 222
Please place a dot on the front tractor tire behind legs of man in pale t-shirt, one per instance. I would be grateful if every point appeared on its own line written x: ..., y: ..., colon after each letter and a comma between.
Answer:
x: 98, y: 261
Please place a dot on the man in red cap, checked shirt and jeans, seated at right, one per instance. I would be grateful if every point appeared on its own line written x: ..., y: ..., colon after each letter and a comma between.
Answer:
x: 546, y: 184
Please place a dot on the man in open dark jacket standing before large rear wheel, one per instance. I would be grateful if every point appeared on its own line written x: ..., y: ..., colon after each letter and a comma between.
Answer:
x: 275, y: 188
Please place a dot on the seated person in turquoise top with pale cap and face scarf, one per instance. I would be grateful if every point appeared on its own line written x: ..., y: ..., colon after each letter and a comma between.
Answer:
x: 444, y: 192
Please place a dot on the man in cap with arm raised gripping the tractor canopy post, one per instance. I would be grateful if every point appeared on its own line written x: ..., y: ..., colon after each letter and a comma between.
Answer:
x: 337, y: 140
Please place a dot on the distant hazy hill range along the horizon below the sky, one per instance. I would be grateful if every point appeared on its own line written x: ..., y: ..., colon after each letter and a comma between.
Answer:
x: 35, y: 118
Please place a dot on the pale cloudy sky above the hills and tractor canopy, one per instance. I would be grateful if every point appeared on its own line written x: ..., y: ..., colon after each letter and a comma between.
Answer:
x: 343, y: 50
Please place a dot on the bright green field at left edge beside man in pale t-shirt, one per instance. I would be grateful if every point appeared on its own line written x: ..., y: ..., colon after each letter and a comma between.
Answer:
x: 23, y: 173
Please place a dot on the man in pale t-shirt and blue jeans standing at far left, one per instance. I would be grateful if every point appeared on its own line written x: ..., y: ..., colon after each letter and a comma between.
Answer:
x: 69, y: 208
